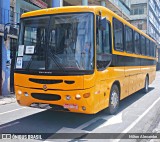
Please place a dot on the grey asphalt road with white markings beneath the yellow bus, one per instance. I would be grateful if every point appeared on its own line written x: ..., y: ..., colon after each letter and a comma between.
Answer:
x: 138, y: 113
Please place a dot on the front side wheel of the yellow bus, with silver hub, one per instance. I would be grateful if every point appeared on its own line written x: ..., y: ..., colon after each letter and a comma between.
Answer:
x: 114, y: 100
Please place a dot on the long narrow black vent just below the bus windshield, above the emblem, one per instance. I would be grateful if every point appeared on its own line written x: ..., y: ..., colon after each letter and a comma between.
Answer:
x: 45, y: 81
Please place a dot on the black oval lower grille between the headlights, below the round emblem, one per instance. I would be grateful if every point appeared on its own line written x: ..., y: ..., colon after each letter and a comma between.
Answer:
x: 46, y: 97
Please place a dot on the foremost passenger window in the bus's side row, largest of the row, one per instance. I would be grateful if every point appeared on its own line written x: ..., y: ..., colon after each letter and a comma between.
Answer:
x: 118, y: 35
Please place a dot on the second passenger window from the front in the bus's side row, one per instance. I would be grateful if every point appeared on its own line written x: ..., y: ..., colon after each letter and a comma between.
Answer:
x: 128, y: 39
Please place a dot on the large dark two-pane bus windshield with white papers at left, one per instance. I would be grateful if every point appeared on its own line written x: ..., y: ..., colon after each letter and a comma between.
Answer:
x: 62, y: 43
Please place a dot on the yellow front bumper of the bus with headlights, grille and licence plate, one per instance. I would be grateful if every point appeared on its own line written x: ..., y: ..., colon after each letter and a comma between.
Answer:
x: 58, y: 100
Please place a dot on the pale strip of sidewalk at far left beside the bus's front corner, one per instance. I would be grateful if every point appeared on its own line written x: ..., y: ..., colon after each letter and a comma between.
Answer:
x: 7, y: 99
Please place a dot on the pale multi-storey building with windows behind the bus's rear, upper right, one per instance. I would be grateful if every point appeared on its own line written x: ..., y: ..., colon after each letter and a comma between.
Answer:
x: 145, y: 15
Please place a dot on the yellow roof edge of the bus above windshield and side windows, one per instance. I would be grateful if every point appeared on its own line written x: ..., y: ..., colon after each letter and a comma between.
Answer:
x: 70, y: 9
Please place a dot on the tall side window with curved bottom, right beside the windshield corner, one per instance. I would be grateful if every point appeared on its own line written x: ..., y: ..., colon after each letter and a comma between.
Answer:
x: 104, y: 46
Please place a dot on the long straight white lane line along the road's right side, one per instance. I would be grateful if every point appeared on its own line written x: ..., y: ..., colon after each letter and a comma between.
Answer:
x: 137, y: 120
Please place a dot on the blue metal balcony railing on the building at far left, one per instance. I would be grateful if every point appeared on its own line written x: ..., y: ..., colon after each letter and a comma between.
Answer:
x: 7, y: 16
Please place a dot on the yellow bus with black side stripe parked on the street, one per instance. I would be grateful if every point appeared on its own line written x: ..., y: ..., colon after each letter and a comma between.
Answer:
x: 81, y: 59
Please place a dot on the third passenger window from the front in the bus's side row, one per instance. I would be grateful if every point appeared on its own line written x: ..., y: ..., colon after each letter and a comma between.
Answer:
x: 137, y: 42
